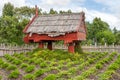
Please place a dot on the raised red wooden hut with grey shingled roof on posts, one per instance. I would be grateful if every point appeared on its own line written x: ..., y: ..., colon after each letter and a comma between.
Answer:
x: 49, y: 28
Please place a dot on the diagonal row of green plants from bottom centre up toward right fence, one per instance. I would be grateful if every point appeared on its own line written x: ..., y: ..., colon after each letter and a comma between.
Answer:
x: 72, y: 70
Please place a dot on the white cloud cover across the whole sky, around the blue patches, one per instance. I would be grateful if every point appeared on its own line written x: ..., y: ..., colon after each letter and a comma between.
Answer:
x: 111, y: 19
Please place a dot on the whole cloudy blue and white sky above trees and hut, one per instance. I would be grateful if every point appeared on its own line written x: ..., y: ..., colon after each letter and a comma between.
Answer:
x: 107, y: 10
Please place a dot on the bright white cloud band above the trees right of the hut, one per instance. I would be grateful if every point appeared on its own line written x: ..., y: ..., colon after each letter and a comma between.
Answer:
x: 112, y: 20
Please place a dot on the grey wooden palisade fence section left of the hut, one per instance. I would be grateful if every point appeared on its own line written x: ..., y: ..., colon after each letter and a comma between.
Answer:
x: 11, y: 49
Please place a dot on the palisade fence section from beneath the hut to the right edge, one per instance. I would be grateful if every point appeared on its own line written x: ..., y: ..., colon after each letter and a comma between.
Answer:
x: 93, y: 48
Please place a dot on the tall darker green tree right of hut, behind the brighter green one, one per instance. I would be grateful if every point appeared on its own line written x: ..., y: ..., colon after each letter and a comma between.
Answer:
x: 95, y: 28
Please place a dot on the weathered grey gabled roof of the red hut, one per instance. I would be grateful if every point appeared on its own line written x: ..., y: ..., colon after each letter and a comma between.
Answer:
x: 57, y: 24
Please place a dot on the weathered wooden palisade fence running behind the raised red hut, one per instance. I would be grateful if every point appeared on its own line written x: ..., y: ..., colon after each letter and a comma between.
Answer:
x: 11, y: 49
